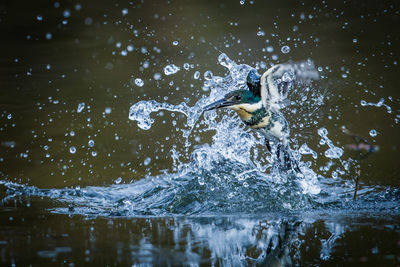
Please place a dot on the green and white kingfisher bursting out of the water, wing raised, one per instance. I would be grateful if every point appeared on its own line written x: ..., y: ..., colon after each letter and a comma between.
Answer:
x: 259, y: 106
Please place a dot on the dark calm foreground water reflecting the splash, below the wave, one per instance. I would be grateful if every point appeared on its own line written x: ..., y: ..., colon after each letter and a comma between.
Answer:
x: 271, y: 239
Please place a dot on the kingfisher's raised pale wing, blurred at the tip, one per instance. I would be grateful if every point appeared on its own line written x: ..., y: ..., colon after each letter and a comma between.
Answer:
x: 277, y: 81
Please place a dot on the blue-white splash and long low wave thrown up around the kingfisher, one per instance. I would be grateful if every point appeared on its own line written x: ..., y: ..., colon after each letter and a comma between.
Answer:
x: 234, y: 173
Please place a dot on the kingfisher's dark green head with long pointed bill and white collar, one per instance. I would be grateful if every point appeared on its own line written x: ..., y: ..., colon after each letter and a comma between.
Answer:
x: 237, y: 99
